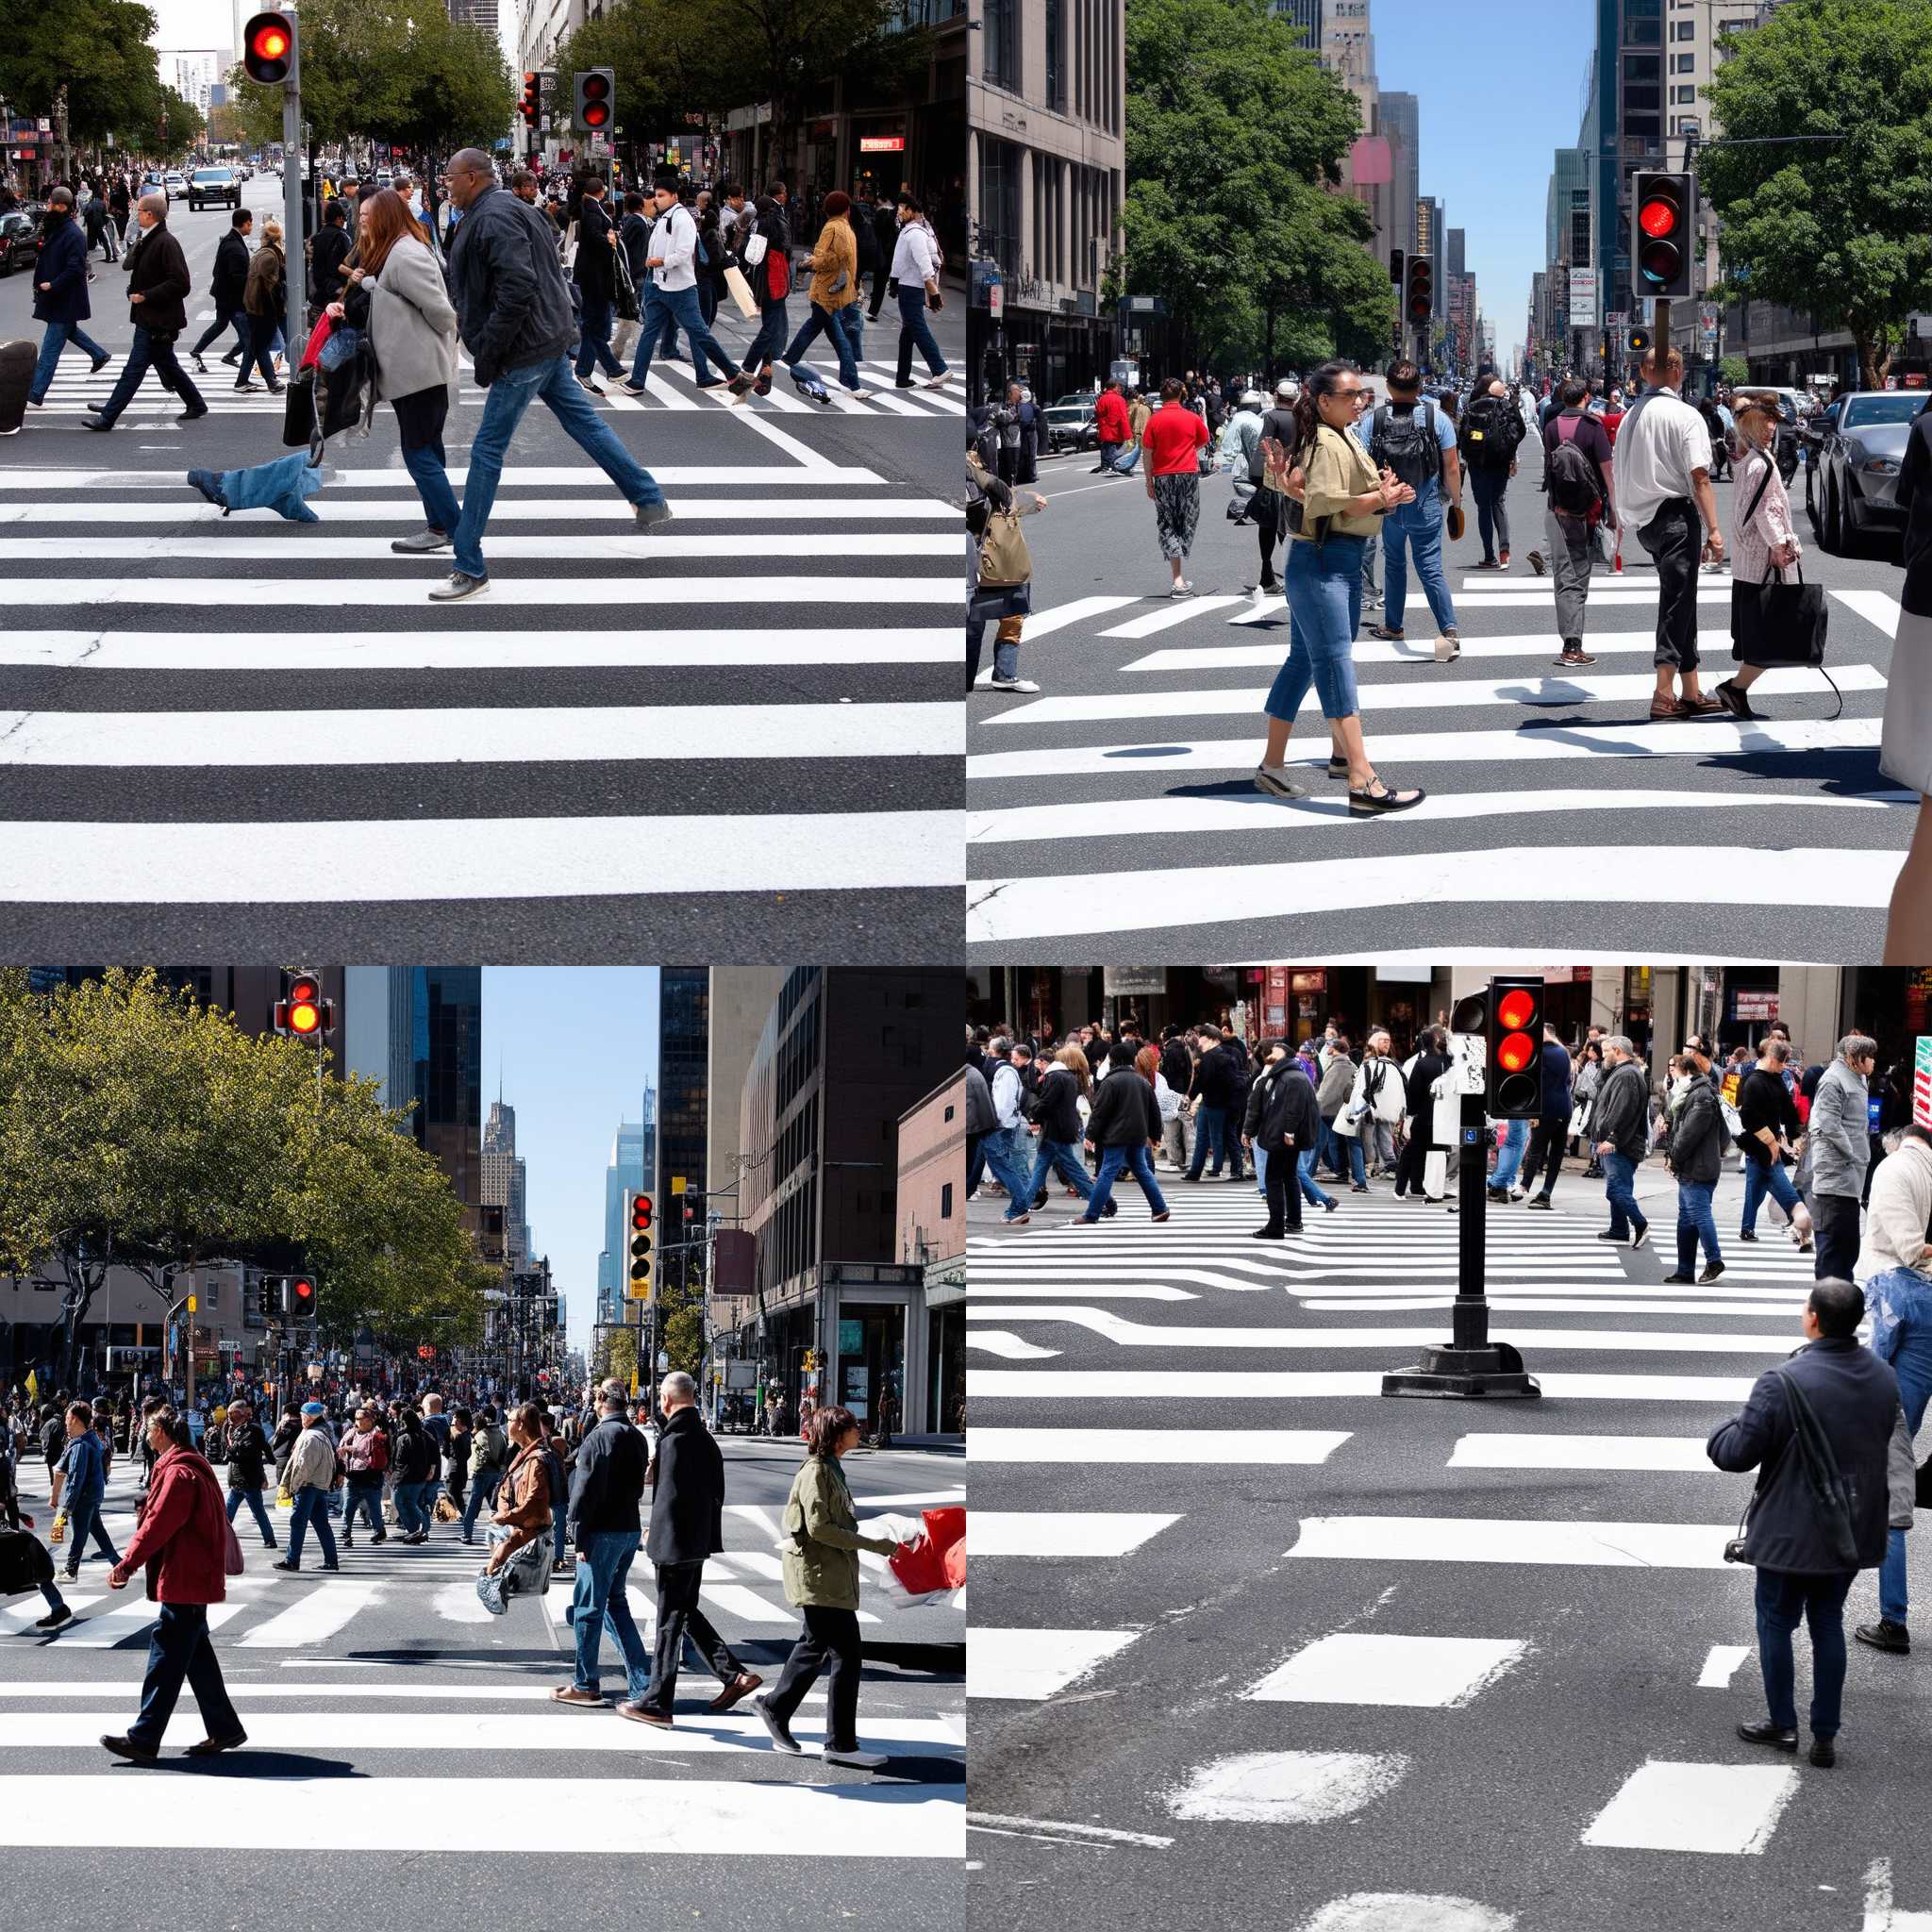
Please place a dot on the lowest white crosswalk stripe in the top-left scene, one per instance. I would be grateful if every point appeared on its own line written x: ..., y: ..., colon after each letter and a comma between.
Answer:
x: 384, y: 861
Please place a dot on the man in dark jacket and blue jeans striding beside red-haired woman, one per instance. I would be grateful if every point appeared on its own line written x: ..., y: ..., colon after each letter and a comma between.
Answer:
x: 513, y: 312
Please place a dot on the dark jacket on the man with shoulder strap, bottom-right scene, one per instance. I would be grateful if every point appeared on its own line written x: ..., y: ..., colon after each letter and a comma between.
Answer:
x: 1856, y: 1400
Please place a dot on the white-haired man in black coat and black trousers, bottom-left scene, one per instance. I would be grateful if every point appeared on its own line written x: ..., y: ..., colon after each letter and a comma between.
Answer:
x: 687, y: 1527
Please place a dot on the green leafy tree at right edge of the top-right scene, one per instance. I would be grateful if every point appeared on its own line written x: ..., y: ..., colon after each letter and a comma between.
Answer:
x: 1834, y: 229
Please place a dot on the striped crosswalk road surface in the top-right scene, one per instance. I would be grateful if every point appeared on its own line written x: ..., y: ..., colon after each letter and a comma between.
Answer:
x: 1120, y: 807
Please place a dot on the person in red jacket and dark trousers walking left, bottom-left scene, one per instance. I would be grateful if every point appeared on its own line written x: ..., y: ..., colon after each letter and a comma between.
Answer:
x: 183, y: 1539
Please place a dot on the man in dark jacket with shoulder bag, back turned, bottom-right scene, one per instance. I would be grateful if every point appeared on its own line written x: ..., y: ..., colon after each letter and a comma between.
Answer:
x: 1805, y: 1554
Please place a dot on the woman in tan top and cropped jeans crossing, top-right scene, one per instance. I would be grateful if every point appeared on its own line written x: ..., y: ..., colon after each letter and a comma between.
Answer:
x: 1344, y: 501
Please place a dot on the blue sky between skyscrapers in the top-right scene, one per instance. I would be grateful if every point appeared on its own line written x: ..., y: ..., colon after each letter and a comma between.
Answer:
x: 1498, y: 92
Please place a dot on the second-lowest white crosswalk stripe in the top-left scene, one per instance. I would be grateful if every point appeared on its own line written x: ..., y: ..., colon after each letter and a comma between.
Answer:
x: 414, y: 737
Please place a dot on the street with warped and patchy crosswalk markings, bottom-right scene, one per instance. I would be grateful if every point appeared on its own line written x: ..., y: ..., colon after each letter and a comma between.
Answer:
x: 1245, y: 1628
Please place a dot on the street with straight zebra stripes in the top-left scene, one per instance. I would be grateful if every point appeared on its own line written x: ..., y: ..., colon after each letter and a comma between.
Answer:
x: 202, y: 714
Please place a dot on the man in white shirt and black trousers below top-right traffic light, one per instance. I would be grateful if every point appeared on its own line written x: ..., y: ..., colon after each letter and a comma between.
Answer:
x: 1662, y: 490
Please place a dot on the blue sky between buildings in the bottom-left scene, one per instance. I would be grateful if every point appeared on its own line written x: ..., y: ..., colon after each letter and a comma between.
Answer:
x: 577, y: 1046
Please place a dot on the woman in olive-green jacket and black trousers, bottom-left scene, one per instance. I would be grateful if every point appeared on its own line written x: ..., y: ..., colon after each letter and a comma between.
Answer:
x: 822, y: 1579
